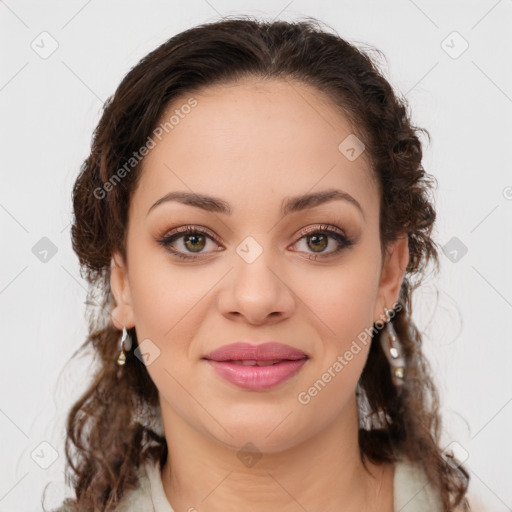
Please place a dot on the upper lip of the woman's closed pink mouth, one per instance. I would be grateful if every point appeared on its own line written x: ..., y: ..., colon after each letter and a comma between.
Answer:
x: 269, y: 351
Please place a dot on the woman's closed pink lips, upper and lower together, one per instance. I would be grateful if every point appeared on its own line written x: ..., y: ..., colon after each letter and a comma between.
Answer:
x: 259, y: 367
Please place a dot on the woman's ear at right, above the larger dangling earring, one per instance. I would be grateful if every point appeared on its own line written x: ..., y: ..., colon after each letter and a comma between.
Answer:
x: 396, y: 260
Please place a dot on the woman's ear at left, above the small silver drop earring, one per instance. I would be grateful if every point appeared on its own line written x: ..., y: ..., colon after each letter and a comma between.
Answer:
x: 122, y: 312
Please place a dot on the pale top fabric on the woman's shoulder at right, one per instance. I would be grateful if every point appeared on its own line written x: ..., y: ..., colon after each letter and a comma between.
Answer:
x: 412, y: 490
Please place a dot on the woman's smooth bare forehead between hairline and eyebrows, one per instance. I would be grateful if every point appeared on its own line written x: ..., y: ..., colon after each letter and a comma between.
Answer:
x: 253, y: 140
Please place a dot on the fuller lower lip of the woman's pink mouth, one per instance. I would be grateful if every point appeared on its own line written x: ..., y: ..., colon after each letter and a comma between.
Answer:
x: 257, y: 378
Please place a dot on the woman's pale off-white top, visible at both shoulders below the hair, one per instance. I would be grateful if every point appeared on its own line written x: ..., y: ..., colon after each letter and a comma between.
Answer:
x: 412, y: 491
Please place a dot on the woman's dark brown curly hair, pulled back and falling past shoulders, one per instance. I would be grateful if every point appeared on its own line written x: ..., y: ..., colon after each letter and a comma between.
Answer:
x: 111, y: 429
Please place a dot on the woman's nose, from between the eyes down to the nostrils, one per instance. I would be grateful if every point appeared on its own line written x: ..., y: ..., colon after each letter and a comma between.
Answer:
x: 257, y: 291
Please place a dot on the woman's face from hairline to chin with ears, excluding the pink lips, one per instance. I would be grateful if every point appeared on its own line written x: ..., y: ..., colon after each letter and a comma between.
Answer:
x: 265, y: 269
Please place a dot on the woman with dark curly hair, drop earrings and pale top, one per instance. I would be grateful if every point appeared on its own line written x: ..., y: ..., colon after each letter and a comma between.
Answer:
x: 254, y: 217
